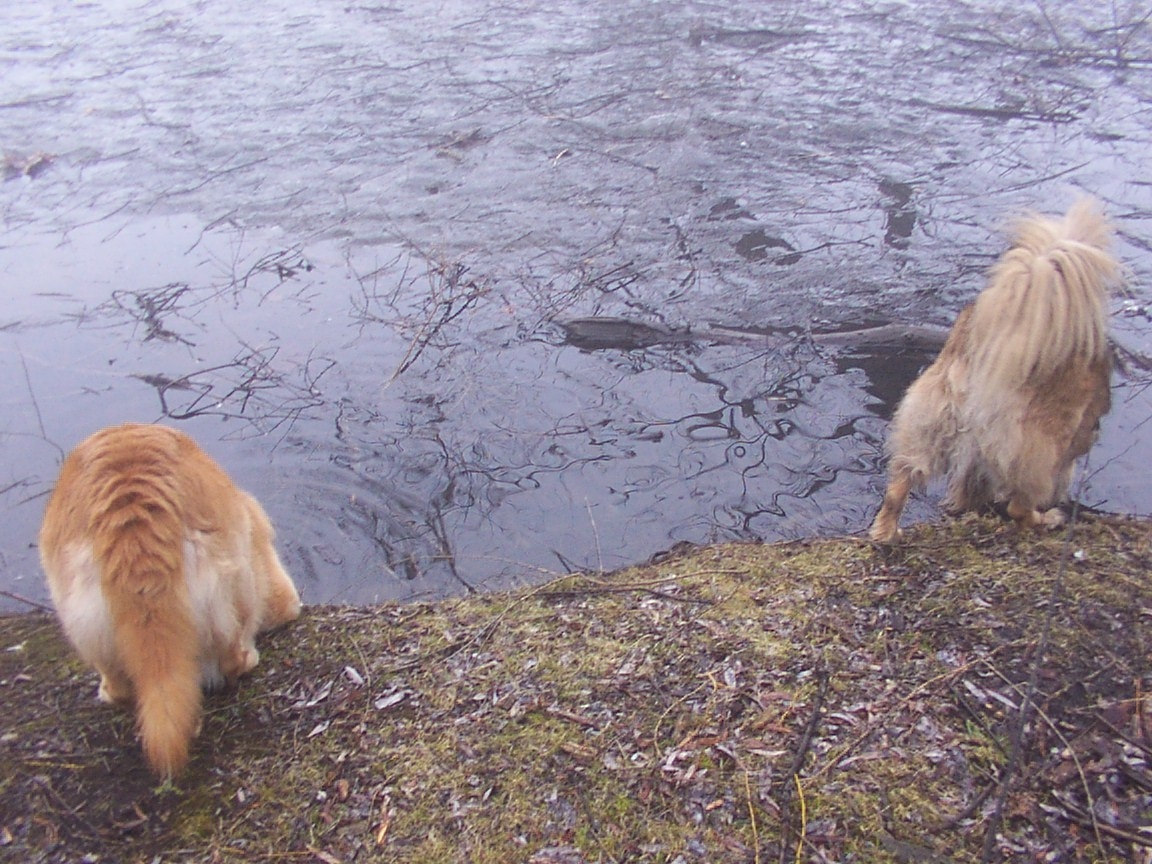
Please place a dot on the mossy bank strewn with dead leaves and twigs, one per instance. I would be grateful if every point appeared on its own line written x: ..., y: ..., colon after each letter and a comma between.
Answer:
x: 818, y: 701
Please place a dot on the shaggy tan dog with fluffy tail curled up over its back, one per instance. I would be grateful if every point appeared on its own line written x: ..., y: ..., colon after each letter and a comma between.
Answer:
x: 1019, y: 389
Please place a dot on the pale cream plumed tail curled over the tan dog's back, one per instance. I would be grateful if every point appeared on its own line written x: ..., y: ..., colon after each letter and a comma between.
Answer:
x: 1047, y: 301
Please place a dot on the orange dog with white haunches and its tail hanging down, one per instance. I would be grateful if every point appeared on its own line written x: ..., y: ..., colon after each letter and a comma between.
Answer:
x: 163, y: 572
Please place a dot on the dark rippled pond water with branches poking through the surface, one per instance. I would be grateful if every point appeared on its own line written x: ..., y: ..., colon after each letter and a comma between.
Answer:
x: 344, y: 244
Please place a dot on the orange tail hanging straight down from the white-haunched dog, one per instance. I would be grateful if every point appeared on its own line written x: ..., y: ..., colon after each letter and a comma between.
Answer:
x: 139, y: 543
